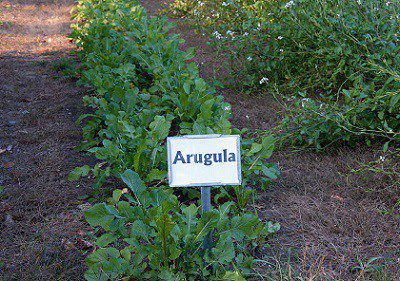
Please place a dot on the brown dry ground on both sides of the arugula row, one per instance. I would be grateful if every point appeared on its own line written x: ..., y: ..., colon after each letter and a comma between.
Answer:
x: 328, y: 220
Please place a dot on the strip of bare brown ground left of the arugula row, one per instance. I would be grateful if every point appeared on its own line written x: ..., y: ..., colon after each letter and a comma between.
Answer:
x: 40, y: 221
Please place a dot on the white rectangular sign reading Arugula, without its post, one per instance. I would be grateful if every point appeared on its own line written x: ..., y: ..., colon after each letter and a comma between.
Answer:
x: 204, y: 160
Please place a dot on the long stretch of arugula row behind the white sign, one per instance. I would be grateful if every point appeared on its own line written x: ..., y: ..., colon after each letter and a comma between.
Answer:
x: 144, y: 91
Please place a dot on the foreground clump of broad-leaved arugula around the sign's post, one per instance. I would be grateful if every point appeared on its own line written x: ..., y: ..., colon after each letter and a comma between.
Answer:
x: 151, y: 235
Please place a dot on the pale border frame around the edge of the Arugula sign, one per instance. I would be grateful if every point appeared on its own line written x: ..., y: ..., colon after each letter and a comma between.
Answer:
x: 200, y: 184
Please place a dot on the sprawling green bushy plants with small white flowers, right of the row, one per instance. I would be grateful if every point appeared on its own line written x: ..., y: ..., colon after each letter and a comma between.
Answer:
x: 338, y: 59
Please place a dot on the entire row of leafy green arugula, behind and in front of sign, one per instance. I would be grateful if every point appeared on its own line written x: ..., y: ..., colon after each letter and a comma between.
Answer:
x: 144, y: 90
